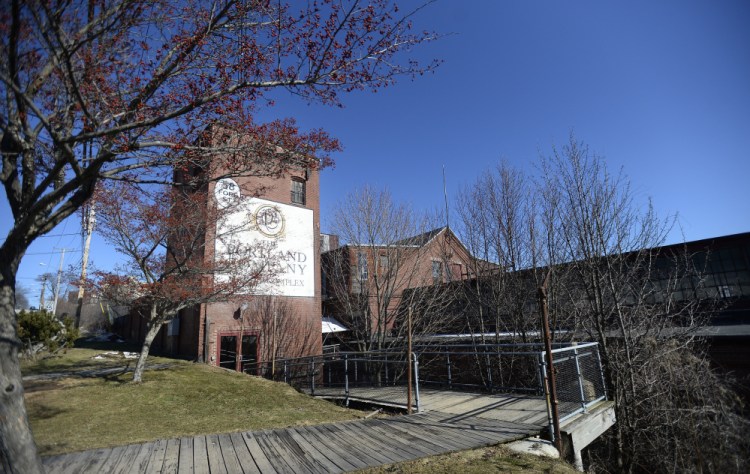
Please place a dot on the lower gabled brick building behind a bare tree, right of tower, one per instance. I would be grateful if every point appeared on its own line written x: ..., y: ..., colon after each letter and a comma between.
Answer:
x: 364, y: 285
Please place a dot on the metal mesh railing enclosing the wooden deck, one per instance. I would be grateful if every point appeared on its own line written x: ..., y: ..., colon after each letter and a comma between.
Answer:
x: 380, y: 377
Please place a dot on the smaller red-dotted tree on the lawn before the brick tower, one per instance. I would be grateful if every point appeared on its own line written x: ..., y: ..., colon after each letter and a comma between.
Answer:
x: 162, y: 235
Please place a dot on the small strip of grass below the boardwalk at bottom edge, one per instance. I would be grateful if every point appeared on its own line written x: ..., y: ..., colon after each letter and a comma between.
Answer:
x: 477, y: 461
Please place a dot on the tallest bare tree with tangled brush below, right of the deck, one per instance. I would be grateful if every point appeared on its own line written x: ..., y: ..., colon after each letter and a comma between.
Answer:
x: 626, y: 295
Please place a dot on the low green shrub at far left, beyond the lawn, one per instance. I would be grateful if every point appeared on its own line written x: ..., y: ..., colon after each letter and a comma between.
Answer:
x: 40, y: 329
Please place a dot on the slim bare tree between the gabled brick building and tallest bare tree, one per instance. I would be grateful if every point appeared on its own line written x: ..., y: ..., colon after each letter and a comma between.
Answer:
x: 498, y: 223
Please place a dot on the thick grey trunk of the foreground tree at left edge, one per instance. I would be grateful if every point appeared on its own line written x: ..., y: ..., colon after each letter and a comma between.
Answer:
x: 18, y: 453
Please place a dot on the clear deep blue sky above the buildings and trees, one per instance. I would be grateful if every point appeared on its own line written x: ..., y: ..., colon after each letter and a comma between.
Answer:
x: 661, y: 89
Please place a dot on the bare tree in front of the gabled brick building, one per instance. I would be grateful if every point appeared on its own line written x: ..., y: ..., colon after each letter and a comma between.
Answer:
x: 388, y: 249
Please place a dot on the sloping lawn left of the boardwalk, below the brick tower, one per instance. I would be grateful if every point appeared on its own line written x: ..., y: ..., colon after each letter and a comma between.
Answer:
x: 74, y: 413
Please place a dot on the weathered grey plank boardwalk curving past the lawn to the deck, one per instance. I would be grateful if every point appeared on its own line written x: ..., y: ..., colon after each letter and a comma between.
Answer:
x: 449, y: 422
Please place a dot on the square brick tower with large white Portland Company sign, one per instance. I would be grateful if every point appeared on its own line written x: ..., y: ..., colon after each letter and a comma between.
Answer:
x: 281, y: 317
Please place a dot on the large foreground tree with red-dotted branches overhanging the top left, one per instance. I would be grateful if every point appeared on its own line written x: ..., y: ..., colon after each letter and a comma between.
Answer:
x: 123, y: 90
